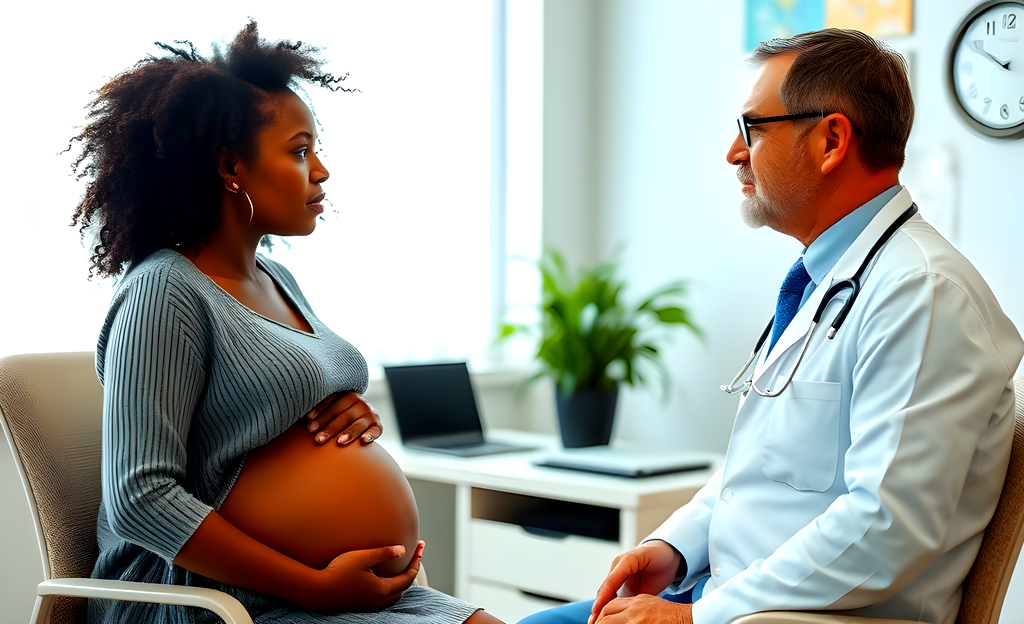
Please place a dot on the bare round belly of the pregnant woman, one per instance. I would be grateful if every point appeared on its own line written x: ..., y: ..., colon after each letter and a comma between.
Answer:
x: 314, y: 503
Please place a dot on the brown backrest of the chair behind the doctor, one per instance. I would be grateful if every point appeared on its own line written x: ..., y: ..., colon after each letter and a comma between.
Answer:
x: 987, y: 585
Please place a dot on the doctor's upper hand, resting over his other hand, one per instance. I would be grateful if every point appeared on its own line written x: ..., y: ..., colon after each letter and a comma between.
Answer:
x: 647, y: 570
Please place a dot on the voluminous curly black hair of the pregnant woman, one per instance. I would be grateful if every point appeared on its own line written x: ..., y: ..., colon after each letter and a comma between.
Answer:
x: 157, y: 133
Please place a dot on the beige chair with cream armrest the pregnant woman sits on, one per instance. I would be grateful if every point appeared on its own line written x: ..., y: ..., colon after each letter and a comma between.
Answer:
x: 52, y: 417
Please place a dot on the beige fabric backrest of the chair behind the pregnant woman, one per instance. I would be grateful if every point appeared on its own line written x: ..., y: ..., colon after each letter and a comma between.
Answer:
x: 52, y: 412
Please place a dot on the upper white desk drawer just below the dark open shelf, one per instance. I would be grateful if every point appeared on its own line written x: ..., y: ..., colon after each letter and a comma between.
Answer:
x: 571, y: 568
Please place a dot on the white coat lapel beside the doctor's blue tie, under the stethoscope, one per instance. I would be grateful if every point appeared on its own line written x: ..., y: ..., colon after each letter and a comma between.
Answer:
x: 845, y: 268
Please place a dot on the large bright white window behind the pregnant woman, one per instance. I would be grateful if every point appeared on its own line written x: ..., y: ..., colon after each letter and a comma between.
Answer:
x: 405, y: 266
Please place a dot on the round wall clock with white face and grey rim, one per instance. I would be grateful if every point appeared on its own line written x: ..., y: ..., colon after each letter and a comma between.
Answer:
x: 988, y: 68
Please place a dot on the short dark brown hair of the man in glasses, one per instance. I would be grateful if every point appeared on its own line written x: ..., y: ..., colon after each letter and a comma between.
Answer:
x: 839, y: 71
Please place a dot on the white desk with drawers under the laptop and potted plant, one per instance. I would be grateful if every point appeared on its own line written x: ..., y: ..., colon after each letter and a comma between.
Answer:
x: 511, y: 572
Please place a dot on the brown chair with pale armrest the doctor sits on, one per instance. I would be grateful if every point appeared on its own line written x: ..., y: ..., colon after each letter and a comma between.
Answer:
x: 987, y: 585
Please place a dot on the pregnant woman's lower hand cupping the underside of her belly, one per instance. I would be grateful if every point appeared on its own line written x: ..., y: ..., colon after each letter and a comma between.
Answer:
x: 350, y: 583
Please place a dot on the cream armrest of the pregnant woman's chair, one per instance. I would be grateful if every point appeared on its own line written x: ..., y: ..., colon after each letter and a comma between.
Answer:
x: 227, y: 607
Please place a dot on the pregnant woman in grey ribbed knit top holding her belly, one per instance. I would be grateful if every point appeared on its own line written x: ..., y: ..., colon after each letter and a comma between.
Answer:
x: 218, y: 375
